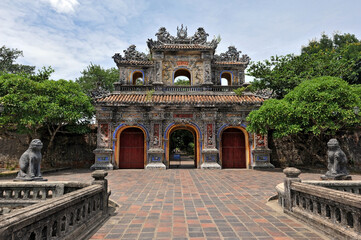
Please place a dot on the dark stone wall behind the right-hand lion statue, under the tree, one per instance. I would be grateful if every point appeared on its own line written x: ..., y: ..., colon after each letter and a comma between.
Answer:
x: 311, y: 152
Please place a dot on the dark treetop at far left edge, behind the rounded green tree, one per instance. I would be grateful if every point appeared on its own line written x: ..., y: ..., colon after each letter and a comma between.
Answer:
x: 7, y: 62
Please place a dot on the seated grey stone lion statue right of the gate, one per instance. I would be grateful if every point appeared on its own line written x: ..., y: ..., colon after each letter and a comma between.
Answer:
x: 337, y: 162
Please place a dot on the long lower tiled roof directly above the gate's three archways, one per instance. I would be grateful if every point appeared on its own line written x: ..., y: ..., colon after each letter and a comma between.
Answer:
x: 116, y: 99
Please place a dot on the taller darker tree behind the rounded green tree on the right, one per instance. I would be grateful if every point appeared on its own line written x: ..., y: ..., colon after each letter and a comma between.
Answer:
x: 340, y: 57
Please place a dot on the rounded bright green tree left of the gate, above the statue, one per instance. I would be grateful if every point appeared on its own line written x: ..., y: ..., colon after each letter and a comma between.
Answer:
x: 32, y: 105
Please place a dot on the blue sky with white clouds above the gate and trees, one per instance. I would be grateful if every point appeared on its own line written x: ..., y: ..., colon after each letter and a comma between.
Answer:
x: 69, y: 34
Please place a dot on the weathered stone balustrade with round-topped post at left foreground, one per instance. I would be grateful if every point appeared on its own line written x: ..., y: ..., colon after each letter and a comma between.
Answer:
x: 72, y: 215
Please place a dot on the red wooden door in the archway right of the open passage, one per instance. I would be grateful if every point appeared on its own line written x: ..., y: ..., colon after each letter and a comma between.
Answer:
x: 233, y: 149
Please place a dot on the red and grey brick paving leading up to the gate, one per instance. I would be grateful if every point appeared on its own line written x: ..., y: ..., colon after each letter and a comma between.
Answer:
x: 195, y: 204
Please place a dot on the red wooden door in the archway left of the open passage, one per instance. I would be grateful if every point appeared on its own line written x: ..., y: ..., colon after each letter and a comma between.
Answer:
x: 131, y: 148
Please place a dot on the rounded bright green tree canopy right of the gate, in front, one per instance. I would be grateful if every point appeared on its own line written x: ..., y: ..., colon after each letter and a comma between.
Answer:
x: 320, y: 106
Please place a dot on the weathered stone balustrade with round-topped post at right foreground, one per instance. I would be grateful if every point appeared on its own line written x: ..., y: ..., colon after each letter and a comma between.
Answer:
x: 333, y: 207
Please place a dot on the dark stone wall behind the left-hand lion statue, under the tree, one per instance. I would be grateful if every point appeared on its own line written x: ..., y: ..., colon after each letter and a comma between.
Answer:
x: 69, y: 150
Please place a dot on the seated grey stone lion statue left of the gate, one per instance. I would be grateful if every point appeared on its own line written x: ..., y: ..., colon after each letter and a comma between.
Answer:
x: 30, y: 160
